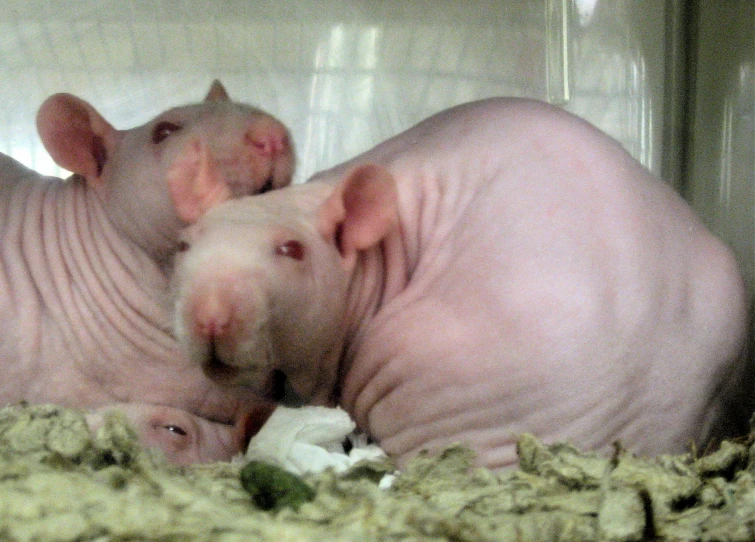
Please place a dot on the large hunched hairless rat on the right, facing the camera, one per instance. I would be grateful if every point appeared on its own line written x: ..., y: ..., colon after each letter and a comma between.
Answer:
x: 502, y: 267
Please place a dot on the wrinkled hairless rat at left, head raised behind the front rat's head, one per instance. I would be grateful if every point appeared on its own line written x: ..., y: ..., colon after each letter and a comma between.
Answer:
x: 84, y: 263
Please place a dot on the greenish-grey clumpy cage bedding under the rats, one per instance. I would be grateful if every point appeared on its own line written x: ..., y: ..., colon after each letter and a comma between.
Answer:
x: 58, y: 481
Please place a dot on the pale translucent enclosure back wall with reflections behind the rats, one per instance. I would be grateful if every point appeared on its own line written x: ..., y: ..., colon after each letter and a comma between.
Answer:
x: 343, y: 75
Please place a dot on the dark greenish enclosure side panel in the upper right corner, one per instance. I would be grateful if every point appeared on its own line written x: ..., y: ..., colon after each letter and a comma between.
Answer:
x: 722, y: 167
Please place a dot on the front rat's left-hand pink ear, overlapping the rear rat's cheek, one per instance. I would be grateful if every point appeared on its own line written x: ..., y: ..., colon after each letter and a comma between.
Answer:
x: 195, y: 184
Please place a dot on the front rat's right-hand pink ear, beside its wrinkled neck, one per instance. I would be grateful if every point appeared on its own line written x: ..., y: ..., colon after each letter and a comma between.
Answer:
x: 362, y: 209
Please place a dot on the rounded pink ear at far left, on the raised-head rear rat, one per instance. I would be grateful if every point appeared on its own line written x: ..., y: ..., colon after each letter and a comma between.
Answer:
x: 77, y: 137
